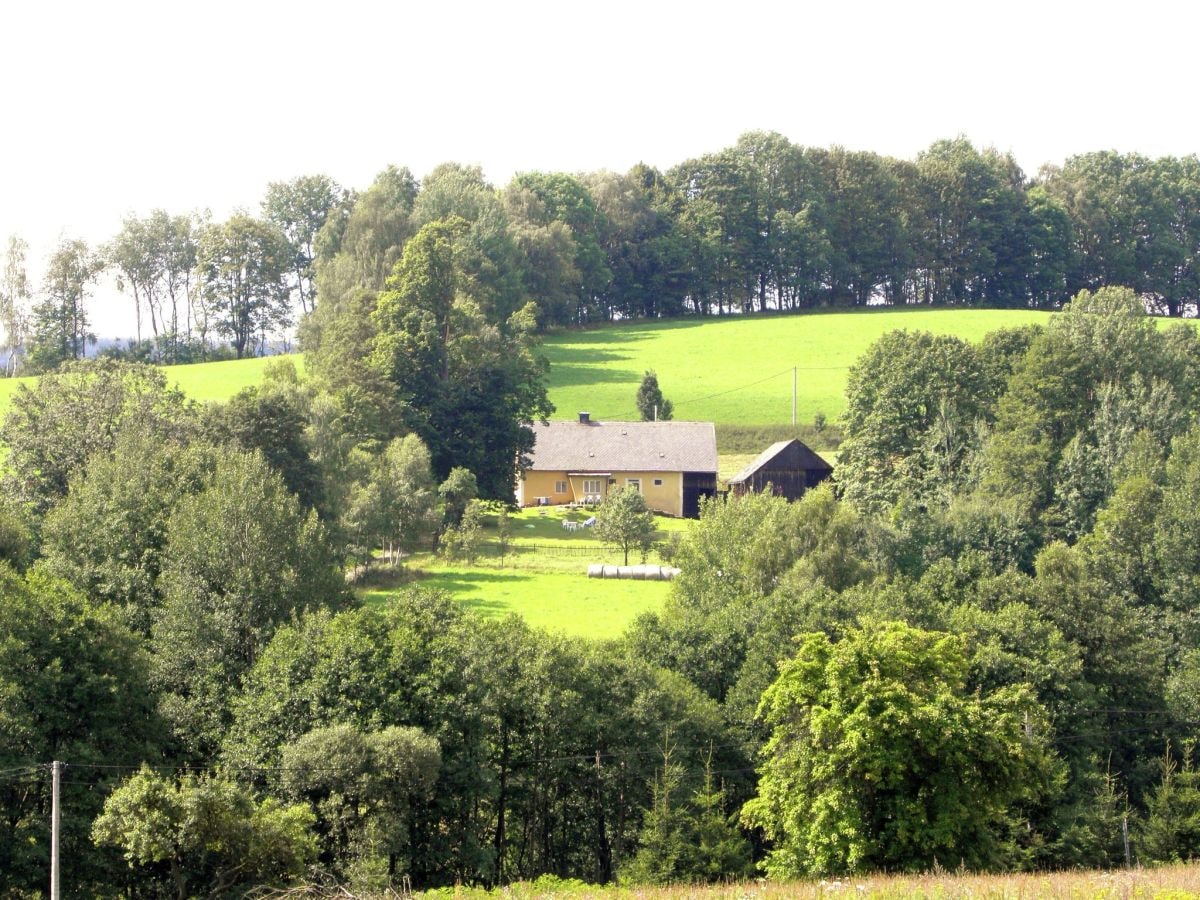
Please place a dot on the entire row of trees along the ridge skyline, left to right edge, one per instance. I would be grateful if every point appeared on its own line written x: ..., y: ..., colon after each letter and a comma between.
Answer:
x: 764, y: 225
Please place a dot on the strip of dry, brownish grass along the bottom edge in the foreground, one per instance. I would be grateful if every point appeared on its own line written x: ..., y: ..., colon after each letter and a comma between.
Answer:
x: 1172, y: 883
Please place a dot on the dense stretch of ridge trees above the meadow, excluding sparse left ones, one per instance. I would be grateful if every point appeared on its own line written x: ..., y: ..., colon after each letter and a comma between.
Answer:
x: 767, y: 225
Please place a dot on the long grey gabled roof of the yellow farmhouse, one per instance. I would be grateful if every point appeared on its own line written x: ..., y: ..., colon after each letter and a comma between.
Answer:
x: 625, y: 447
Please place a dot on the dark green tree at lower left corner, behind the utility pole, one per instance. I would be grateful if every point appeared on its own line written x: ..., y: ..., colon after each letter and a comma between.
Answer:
x: 75, y: 686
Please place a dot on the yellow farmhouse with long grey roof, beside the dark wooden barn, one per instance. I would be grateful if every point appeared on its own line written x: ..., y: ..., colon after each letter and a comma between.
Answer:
x: 673, y: 464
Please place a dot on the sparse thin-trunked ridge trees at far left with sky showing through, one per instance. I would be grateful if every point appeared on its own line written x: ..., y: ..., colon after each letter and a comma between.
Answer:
x: 196, y: 286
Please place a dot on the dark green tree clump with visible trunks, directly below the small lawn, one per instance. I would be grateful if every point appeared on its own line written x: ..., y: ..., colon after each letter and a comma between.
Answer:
x: 511, y: 707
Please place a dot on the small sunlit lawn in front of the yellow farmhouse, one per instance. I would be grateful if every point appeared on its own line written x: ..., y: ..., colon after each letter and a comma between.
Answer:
x: 543, y: 578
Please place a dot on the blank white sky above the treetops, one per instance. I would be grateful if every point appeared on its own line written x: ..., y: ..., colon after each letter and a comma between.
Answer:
x: 121, y: 107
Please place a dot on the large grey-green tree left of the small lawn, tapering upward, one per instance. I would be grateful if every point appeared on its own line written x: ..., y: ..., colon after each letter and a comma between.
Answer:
x: 241, y: 559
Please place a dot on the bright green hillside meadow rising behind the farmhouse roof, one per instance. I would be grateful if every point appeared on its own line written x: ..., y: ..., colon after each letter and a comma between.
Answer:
x: 739, y: 371
